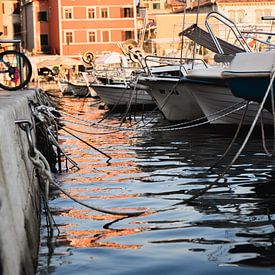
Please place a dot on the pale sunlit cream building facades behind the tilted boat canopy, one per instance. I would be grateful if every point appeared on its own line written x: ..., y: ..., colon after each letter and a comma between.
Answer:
x: 247, y: 14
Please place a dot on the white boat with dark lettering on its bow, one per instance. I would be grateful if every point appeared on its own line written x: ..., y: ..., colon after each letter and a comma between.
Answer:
x: 174, y: 101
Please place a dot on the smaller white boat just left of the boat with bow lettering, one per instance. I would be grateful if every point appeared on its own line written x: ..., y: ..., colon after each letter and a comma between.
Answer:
x: 123, y: 94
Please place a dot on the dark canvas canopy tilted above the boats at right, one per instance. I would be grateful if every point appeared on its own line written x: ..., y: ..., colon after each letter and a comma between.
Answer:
x: 203, y: 38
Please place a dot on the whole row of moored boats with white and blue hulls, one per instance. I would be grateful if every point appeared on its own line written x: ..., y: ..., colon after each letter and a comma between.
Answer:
x: 187, y: 89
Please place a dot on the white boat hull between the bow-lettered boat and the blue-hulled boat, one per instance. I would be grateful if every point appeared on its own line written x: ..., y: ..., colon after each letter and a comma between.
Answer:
x: 214, y: 95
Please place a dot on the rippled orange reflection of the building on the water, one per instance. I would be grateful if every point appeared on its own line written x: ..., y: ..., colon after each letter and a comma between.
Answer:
x: 93, y: 169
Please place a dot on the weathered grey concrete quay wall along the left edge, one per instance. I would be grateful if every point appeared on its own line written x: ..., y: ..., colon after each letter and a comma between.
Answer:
x: 19, y: 189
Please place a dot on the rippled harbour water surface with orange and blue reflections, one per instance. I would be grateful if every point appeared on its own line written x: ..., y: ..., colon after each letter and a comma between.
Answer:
x: 228, y: 230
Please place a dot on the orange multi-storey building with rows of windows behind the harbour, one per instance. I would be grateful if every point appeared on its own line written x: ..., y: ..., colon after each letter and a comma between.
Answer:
x: 70, y: 27
